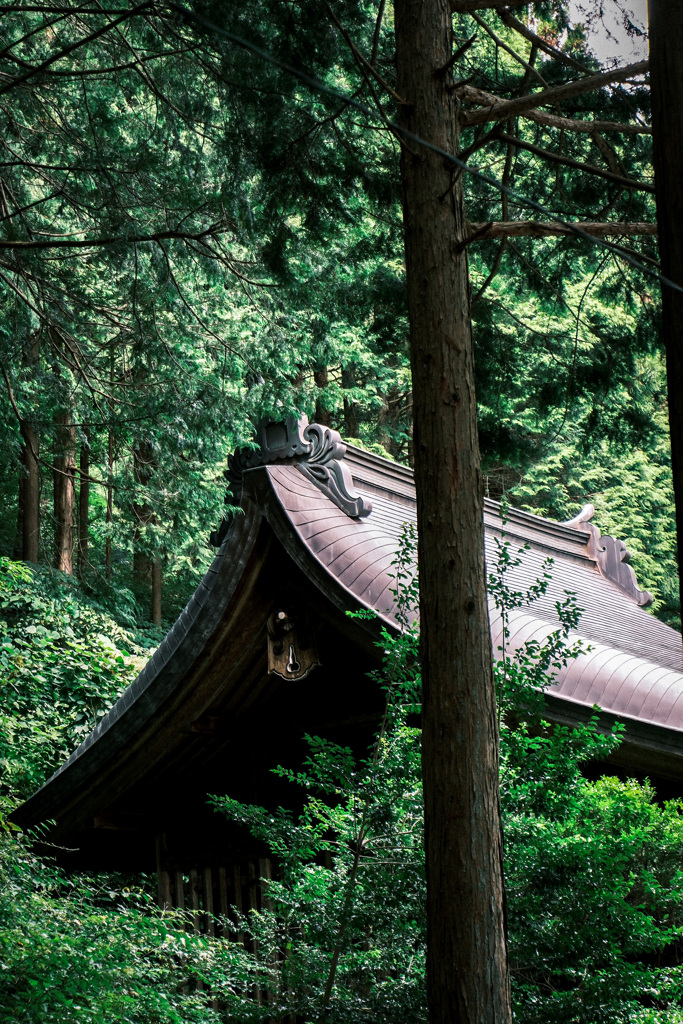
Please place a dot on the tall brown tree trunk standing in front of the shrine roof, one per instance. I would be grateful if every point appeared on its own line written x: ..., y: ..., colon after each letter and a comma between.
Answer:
x: 467, y: 957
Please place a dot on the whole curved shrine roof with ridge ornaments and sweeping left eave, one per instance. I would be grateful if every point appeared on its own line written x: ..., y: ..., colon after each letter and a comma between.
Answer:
x: 317, y: 502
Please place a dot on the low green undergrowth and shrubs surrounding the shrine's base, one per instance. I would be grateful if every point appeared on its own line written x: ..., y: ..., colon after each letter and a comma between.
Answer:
x: 593, y: 869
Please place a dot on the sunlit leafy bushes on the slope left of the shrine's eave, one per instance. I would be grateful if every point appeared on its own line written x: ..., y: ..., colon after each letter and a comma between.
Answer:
x: 63, y: 664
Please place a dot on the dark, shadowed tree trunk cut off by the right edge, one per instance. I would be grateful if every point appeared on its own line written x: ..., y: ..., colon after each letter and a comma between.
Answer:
x: 666, y: 37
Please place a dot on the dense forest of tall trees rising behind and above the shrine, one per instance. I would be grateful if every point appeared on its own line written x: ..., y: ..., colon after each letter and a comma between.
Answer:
x: 193, y: 237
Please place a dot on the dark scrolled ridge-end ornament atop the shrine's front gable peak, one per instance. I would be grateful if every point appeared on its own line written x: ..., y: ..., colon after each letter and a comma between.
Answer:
x: 318, y: 453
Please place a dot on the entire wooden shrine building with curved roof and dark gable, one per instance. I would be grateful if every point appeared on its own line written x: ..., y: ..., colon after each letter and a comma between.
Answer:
x: 266, y: 653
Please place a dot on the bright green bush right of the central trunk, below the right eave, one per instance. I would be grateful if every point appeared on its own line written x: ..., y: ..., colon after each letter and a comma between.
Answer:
x: 594, y: 887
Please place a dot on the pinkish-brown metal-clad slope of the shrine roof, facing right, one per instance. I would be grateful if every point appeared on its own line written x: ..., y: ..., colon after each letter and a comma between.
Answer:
x: 635, y: 665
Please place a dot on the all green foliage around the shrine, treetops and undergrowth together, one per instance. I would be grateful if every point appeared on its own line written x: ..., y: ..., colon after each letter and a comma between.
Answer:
x: 291, y: 294
